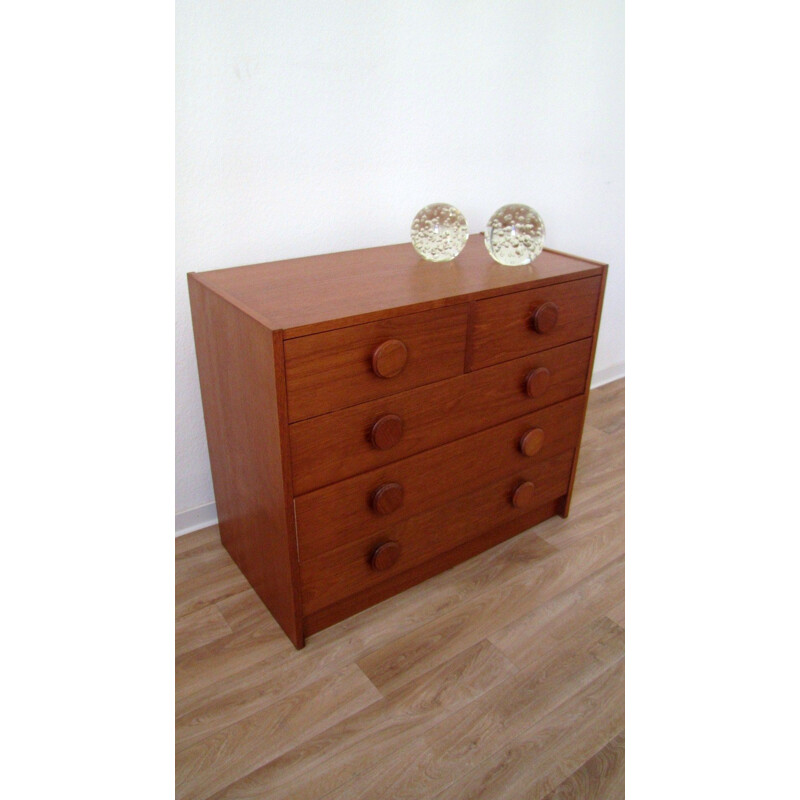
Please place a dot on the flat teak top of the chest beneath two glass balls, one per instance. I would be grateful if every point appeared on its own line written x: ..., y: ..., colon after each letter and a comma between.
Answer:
x: 317, y: 293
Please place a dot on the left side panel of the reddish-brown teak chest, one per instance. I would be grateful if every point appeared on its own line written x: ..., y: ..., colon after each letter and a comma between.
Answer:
x: 240, y: 364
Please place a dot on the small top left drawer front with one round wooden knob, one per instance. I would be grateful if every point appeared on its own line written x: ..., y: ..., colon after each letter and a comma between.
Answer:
x: 340, y: 368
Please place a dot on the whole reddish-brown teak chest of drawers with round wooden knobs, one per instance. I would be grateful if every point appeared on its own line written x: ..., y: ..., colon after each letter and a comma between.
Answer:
x: 374, y: 419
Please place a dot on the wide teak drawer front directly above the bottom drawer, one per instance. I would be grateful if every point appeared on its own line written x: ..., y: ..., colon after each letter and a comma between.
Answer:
x: 342, y: 512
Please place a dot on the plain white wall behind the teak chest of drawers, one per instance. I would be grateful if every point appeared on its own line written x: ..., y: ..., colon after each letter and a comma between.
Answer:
x: 311, y: 127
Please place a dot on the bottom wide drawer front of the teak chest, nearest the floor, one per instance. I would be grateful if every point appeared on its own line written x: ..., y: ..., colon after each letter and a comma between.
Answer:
x: 364, y: 563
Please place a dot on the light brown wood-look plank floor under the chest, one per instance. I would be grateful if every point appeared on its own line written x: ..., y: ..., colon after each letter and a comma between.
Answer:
x: 501, y: 678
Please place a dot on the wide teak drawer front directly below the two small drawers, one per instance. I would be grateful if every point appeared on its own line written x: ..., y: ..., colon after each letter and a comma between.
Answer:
x: 335, y: 446
